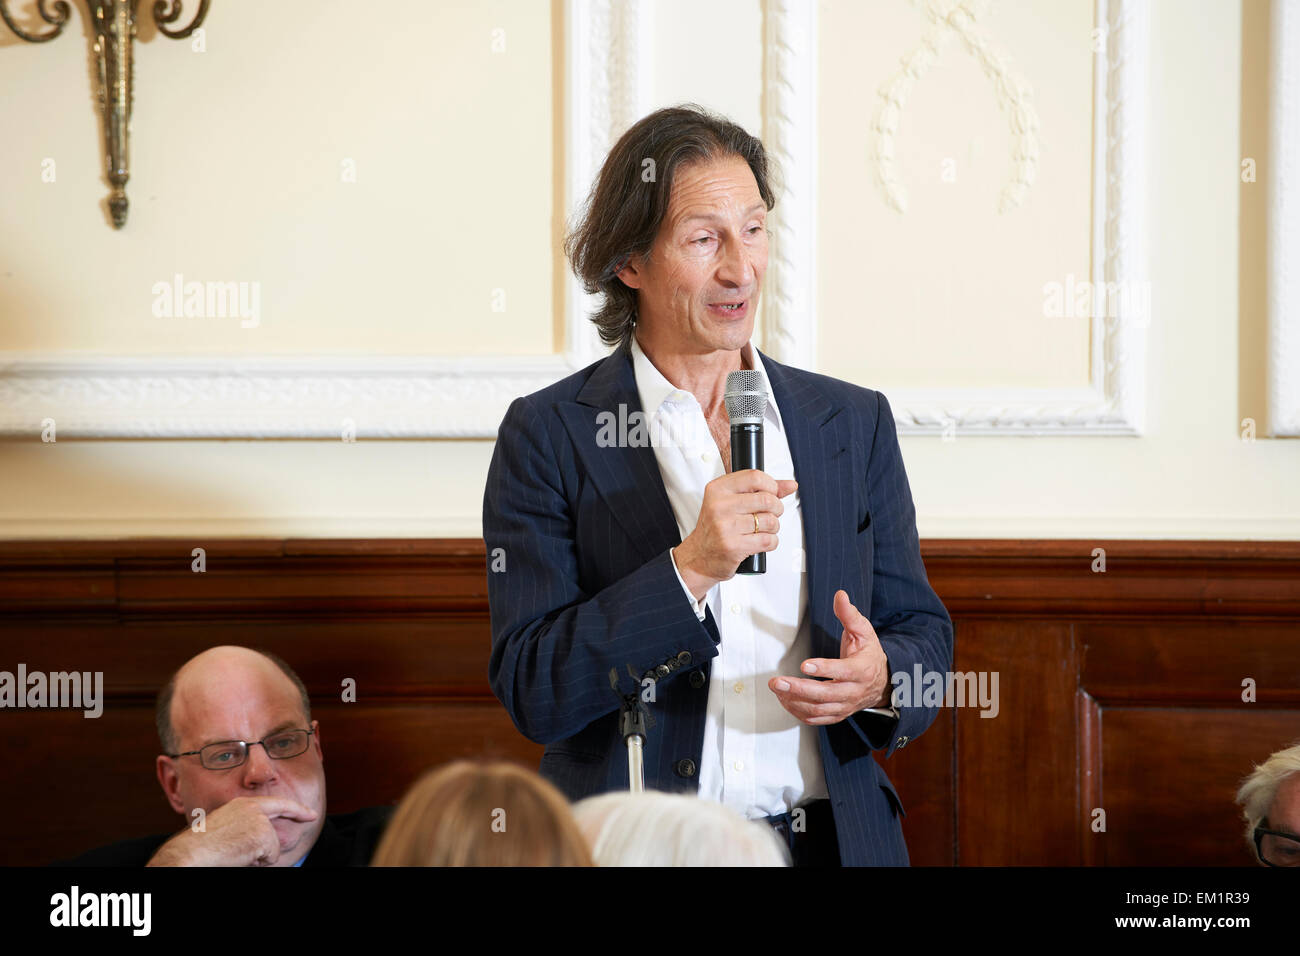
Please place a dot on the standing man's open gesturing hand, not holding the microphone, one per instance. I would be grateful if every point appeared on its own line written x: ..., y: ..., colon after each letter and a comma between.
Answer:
x: 859, y: 680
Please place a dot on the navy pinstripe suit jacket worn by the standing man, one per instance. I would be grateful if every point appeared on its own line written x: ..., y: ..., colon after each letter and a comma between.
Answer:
x: 588, y: 586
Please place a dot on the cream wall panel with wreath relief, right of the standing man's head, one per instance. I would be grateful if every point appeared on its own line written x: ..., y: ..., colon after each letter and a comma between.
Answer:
x: 950, y: 293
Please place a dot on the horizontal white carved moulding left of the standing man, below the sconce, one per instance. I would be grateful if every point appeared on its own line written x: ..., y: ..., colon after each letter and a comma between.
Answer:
x: 292, y: 397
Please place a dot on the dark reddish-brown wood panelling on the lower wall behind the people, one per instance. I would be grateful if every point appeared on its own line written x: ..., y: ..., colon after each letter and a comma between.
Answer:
x: 1120, y: 691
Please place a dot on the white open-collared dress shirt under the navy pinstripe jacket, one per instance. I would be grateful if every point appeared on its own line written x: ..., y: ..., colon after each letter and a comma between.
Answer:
x: 759, y: 759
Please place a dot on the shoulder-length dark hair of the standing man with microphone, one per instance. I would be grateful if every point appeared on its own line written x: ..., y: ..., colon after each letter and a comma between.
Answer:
x: 630, y: 200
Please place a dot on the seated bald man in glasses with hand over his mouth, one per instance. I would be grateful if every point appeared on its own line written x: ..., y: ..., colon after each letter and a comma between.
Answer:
x: 242, y: 764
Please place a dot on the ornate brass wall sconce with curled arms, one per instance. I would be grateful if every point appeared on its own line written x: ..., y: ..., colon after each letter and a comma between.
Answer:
x: 114, y: 23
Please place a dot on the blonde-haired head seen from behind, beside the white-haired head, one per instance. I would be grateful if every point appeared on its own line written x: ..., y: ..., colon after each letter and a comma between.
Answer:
x: 483, y: 815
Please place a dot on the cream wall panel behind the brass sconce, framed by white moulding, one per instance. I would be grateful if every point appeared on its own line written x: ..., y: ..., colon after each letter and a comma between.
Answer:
x: 239, y: 162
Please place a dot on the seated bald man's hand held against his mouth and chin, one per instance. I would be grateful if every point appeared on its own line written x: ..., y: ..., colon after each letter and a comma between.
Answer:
x: 237, y: 834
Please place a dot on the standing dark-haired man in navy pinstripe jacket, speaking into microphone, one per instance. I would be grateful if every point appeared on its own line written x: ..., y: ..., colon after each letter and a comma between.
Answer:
x: 621, y: 552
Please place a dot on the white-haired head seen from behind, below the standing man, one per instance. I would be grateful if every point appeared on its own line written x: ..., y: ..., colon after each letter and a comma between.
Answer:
x: 655, y: 829
